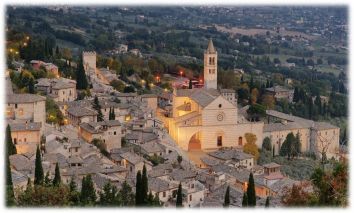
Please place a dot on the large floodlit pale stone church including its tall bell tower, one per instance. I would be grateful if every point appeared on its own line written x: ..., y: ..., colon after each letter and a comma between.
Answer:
x: 206, y: 118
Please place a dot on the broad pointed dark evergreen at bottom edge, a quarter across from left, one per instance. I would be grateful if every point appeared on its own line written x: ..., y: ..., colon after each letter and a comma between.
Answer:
x: 88, y: 192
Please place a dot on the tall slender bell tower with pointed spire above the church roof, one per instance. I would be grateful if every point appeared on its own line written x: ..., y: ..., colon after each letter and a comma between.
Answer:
x: 210, y: 67
